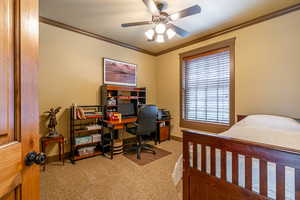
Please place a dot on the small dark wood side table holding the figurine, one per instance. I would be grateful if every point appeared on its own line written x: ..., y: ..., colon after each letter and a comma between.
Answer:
x: 60, y: 140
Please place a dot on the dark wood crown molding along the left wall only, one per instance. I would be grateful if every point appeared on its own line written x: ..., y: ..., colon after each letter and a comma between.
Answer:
x: 93, y: 35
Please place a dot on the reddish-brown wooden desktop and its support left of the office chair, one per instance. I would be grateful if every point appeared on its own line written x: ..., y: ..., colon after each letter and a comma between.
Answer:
x: 115, y: 125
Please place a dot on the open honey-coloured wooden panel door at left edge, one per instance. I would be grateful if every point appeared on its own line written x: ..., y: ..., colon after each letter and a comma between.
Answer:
x: 18, y: 98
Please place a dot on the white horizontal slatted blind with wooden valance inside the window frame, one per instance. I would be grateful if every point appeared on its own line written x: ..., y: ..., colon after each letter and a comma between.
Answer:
x: 206, y: 87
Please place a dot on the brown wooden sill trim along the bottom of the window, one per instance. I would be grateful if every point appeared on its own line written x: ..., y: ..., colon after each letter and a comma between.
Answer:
x: 203, y: 126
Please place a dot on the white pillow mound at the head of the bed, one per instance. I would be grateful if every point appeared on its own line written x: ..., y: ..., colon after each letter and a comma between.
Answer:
x: 270, y: 121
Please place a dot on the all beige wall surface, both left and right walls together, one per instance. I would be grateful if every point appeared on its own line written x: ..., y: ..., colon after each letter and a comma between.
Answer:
x: 267, y: 70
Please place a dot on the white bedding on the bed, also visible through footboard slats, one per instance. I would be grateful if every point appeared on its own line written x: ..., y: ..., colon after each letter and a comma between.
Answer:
x: 266, y: 129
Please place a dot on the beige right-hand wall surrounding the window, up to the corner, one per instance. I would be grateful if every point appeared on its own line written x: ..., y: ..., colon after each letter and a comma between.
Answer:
x: 267, y: 69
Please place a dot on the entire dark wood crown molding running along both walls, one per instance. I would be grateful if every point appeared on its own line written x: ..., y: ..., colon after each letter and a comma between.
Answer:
x: 254, y: 21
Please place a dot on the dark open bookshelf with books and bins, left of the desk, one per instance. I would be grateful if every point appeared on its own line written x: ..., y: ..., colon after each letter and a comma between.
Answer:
x: 86, y: 133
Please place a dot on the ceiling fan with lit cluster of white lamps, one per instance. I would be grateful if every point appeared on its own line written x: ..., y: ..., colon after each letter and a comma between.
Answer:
x: 164, y: 28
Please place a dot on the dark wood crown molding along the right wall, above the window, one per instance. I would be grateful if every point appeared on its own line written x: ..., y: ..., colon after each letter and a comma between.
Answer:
x: 254, y: 21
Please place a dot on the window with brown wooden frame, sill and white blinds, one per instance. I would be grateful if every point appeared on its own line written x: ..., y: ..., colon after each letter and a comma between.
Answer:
x: 207, y: 87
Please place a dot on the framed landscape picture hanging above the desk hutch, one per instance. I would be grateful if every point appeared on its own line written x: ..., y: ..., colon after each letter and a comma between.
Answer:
x: 119, y: 73
